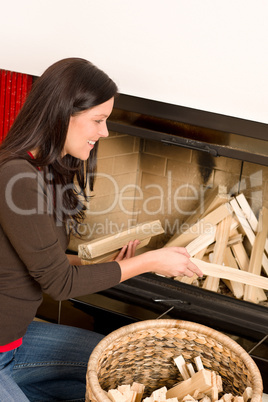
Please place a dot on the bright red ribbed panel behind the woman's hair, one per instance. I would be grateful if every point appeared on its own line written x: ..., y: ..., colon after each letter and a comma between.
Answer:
x: 14, y: 88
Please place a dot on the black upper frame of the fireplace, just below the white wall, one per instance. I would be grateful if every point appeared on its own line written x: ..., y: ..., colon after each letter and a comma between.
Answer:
x: 218, y: 123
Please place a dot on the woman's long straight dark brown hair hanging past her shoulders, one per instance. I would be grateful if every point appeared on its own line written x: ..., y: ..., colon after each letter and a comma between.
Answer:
x: 65, y: 89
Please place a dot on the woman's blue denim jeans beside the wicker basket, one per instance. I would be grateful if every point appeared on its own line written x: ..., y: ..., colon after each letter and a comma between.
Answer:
x: 50, y: 365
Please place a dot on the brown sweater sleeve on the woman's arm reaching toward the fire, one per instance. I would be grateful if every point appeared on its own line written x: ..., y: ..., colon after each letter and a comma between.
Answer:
x: 27, y: 221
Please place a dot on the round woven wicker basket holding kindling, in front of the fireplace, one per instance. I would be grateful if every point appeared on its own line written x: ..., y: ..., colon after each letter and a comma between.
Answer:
x: 143, y: 352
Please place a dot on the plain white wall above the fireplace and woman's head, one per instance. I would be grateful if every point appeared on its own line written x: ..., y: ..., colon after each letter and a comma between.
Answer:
x: 205, y: 54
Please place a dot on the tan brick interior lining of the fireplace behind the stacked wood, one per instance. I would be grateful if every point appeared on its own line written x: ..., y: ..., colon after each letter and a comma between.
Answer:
x: 140, y: 180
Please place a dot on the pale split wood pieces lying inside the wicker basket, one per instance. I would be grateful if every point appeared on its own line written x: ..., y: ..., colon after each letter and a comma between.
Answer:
x: 200, y: 386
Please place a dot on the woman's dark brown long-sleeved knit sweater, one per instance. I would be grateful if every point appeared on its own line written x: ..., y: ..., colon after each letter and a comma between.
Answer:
x: 32, y: 252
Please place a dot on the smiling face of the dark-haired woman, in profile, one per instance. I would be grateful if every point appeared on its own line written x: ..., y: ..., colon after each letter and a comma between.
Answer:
x: 86, y: 128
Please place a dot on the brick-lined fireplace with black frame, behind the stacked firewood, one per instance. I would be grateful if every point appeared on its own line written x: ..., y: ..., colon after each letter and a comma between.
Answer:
x: 160, y: 162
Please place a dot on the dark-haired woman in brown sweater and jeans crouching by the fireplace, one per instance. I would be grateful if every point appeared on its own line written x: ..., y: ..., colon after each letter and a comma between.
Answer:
x: 52, y: 143
